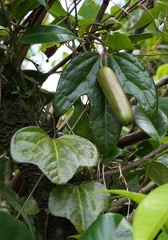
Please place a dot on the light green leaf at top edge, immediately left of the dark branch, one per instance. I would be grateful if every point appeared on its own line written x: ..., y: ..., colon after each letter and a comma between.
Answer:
x: 93, y: 8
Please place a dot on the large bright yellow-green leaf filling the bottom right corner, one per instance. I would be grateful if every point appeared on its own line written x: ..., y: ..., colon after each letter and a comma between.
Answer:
x: 151, y: 214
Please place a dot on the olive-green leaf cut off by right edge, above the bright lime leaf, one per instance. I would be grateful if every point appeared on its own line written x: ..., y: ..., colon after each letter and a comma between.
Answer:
x: 158, y: 171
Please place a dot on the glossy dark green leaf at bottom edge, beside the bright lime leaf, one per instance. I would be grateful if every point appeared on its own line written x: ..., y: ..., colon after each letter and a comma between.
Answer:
x: 110, y: 226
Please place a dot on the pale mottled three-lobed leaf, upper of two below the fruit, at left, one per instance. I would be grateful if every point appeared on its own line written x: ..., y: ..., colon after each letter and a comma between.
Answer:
x: 59, y: 159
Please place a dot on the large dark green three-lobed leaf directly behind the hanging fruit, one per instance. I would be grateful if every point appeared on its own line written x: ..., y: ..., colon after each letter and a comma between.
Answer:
x: 79, y: 78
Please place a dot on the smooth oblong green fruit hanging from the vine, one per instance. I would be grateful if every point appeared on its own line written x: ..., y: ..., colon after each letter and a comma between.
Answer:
x: 115, y: 95
